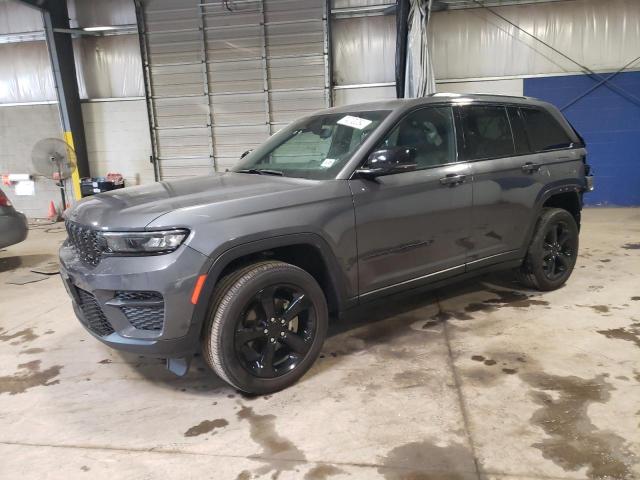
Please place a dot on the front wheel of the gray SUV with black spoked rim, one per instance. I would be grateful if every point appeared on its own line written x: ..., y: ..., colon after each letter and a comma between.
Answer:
x: 265, y: 327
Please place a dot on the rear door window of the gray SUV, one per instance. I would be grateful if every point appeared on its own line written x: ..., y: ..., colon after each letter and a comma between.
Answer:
x: 486, y: 132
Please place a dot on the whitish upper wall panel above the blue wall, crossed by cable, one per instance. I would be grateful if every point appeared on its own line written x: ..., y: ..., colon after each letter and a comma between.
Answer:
x: 475, y: 43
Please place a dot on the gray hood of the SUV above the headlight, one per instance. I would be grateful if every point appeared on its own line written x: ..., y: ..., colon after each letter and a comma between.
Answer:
x: 134, y: 208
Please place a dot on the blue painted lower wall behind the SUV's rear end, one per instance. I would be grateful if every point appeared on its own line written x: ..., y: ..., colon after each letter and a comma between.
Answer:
x: 610, y: 124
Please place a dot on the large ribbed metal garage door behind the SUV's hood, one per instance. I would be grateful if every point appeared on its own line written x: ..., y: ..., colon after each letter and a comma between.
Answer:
x: 222, y: 76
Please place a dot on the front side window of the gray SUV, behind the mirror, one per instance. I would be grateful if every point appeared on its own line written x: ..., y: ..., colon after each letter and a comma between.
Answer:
x: 430, y: 131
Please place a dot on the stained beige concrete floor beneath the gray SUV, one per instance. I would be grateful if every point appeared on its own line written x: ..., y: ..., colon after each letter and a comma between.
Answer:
x: 478, y: 380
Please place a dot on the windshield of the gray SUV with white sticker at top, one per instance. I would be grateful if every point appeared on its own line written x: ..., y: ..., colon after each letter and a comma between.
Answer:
x: 315, y: 147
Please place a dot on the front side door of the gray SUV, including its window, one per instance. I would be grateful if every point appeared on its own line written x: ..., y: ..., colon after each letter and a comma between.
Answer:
x: 414, y: 226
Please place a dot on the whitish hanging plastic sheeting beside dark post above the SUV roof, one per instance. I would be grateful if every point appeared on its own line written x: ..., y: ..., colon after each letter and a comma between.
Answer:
x: 419, y: 79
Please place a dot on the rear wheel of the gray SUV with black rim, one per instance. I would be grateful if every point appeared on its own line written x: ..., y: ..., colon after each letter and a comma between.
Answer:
x: 551, y: 256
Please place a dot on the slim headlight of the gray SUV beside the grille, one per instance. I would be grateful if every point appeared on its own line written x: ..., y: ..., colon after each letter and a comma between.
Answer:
x: 142, y: 242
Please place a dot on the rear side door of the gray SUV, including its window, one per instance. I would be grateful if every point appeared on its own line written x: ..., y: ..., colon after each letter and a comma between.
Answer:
x: 494, y: 143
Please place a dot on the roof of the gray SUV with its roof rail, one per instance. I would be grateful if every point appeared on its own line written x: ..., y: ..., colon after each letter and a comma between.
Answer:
x: 403, y: 103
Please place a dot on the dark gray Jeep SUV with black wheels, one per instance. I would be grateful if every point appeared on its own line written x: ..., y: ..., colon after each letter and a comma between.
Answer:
x: 339, y: 208
